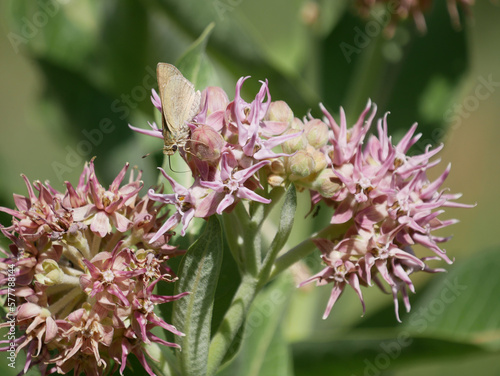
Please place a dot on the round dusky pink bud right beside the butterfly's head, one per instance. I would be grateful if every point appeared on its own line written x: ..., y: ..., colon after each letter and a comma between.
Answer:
x: 206, y: 143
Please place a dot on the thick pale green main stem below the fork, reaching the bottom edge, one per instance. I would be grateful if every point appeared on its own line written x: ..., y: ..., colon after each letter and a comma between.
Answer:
x: 231, y: 323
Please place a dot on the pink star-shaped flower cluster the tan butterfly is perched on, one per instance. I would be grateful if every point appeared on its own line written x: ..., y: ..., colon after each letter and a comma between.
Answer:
x: 230, y: 144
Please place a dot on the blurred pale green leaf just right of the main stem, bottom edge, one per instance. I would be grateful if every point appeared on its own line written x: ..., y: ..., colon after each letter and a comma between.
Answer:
x: 264, y: 351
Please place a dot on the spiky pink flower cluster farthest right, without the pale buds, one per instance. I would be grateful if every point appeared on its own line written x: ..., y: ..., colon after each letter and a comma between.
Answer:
x: 389, y: 204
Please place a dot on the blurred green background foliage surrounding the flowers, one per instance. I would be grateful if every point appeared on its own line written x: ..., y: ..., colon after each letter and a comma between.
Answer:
x: 74, y: 73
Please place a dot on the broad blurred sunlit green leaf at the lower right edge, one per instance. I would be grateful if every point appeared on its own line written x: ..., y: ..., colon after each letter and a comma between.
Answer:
x: 460, y: 306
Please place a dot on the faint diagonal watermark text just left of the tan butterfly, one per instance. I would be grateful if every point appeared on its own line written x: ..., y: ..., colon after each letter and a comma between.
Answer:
x: 95, y: 136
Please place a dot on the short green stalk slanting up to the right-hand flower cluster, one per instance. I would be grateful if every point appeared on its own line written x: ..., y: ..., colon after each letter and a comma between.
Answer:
x: 303, y: 249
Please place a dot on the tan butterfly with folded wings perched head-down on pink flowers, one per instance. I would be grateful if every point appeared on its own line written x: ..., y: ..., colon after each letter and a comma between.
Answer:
x: 180, y: 102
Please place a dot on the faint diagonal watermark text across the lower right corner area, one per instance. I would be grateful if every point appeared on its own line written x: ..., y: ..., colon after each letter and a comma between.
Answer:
x: 419, y: 321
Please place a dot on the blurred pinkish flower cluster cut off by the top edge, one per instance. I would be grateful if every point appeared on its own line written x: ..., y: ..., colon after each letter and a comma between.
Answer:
x: 402, y: 9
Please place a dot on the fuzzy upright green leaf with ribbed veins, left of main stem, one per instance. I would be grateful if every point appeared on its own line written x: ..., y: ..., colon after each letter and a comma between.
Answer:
x: 198, y: 274
